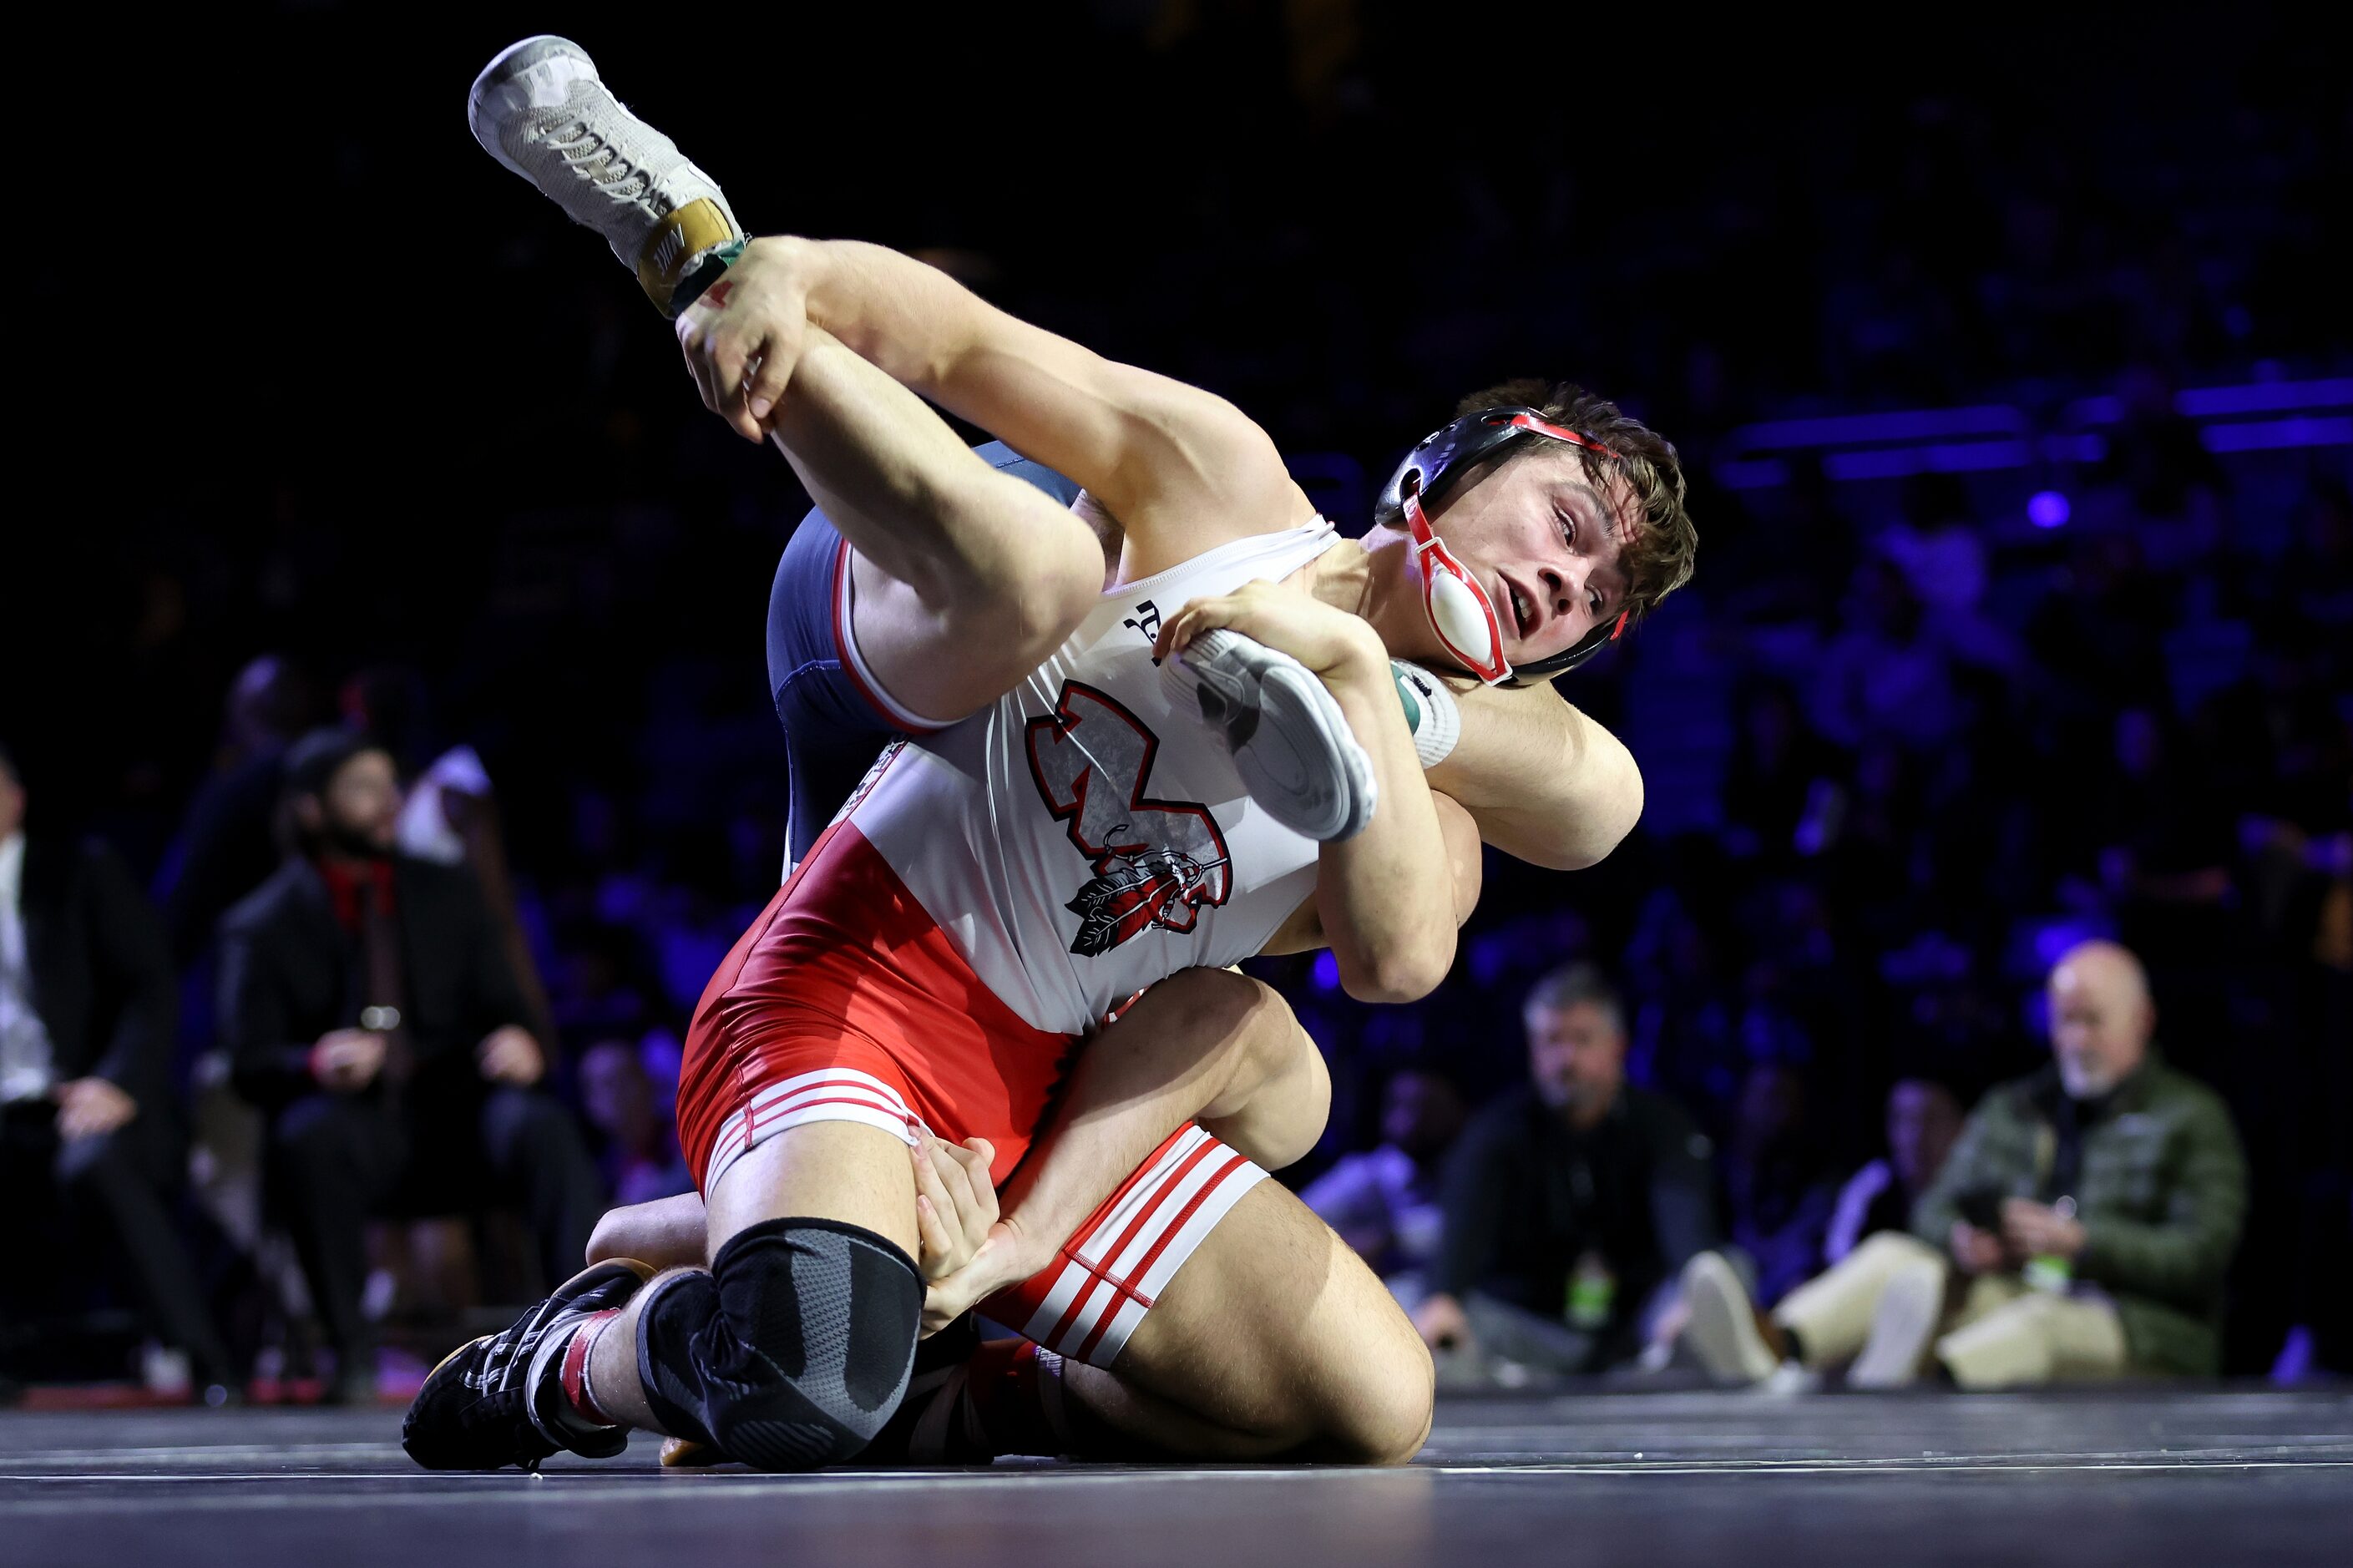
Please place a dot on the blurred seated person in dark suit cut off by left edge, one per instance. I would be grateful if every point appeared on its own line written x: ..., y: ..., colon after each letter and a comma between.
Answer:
x: 86, y: 1117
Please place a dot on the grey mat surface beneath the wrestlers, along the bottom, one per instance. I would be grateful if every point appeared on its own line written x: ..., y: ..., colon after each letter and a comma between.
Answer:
x: 2133, y: 1477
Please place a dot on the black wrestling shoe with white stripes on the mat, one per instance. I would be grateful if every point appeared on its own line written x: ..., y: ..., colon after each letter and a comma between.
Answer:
x: 500, y: 1400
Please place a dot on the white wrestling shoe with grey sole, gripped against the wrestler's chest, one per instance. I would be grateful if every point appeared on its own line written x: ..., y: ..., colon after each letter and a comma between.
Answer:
x: 1284, y: 731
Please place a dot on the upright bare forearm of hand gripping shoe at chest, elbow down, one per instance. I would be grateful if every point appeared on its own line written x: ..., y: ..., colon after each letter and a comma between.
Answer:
x: 1385, y: 896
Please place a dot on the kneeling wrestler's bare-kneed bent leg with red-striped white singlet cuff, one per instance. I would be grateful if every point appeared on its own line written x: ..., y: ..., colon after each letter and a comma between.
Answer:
x: 1201, y: 1315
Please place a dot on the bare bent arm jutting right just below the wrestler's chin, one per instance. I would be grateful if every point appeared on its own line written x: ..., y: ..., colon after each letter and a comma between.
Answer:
x: 1545, y: 783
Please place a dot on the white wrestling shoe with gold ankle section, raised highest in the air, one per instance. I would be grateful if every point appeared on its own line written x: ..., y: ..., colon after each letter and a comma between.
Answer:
x: 545, y: 112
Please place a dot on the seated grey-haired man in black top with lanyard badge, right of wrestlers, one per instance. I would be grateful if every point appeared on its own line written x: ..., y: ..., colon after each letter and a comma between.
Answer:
x: 1571, y: 1202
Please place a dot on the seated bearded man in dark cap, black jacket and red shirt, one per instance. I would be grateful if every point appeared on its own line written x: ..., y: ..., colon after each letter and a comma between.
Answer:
x: 371, y: 1011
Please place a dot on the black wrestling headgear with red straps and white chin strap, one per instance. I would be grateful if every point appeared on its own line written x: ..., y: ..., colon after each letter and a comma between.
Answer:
x: 1460, y: 611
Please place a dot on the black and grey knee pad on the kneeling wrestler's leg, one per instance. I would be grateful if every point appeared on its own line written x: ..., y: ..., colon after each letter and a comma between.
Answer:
x: 792, y: 1353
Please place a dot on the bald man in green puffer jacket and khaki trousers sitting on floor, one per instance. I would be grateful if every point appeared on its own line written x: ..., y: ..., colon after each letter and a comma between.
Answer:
x: 2079, y: 1230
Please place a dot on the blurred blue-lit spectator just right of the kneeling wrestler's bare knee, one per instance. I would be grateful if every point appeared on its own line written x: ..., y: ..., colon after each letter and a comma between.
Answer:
x: 1387, y: 1202
